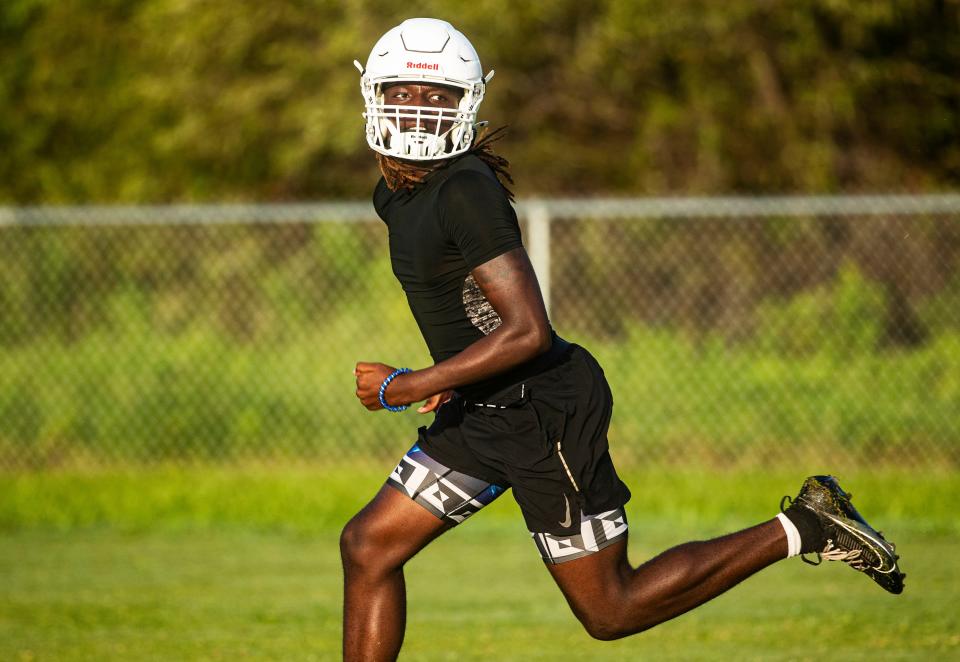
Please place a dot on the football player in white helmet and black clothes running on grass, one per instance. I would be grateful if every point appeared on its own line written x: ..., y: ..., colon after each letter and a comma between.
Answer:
x: 515, y: 405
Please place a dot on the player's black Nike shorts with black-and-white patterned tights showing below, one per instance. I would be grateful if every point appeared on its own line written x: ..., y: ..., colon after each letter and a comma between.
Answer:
x: 546, y: 438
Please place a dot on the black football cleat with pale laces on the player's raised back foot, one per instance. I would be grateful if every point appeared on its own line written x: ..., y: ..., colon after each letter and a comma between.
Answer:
x: 848, y: 536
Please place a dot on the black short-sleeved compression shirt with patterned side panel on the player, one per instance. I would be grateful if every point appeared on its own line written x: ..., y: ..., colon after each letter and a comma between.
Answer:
x: 458, y: 219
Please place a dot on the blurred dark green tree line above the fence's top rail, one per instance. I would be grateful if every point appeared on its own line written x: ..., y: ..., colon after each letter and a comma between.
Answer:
x: 158, y: 100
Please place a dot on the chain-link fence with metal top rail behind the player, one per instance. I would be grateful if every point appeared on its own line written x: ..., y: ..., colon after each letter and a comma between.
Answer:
x: 734, y: 331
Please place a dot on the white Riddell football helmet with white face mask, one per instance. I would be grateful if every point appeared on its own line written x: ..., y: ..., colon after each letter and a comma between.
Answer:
x: 425, y: 51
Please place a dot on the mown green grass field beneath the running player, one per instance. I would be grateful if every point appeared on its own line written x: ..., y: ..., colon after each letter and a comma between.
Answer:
x: 218, y: 564
